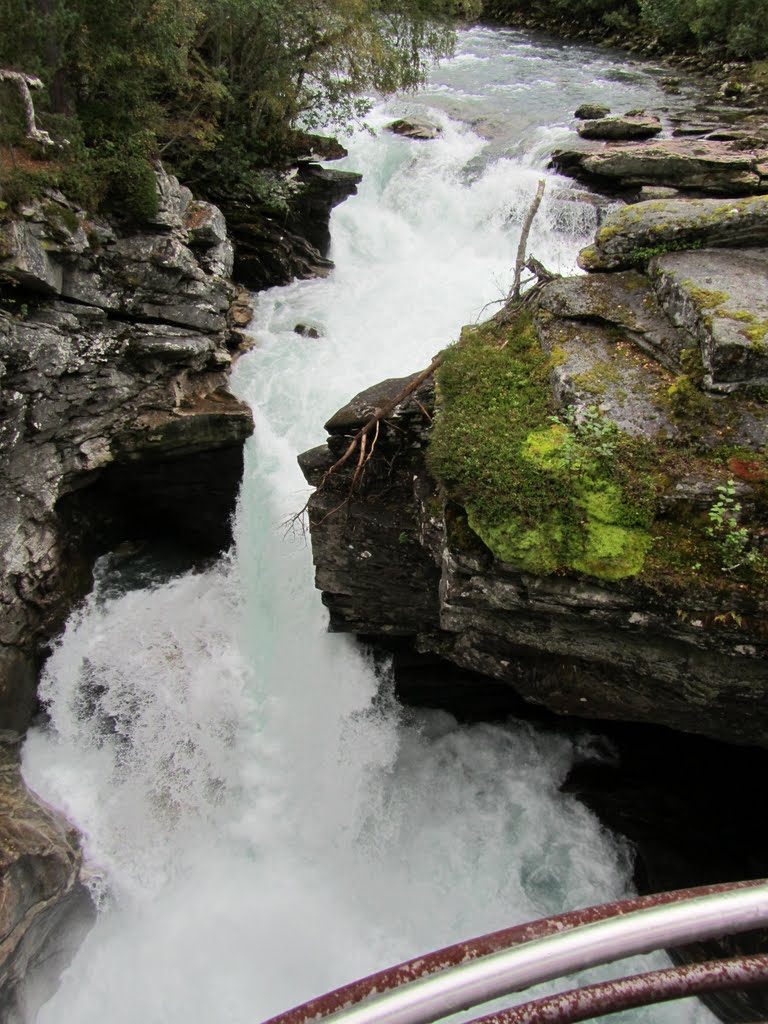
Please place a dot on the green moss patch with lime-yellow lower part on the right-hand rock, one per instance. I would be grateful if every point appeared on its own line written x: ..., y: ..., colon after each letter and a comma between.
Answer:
x: 544, y: 495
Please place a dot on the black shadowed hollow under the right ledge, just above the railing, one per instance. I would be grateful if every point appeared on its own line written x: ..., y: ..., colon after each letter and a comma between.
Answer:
x: 688, y: 806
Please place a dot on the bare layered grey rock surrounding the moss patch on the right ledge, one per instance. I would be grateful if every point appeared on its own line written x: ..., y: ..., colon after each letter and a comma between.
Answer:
x: 649, y: 641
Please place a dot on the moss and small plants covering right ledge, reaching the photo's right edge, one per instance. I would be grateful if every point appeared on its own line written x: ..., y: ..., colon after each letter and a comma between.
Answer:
x: 553, y: 488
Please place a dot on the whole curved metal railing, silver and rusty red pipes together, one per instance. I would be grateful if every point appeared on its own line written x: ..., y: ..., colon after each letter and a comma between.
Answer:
x: 464, y: 975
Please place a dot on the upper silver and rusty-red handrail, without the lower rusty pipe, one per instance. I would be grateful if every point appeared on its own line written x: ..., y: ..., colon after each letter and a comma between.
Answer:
x: 467, y: 974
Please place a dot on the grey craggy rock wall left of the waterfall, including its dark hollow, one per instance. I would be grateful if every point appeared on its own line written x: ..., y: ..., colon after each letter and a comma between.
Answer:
x: 116, y: 343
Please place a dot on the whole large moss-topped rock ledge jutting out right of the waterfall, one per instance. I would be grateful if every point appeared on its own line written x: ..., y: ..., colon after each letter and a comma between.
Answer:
x: 583, y: 514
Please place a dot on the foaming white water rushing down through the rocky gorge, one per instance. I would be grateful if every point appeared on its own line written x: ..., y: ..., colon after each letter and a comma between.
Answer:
x: 266, y: 824
